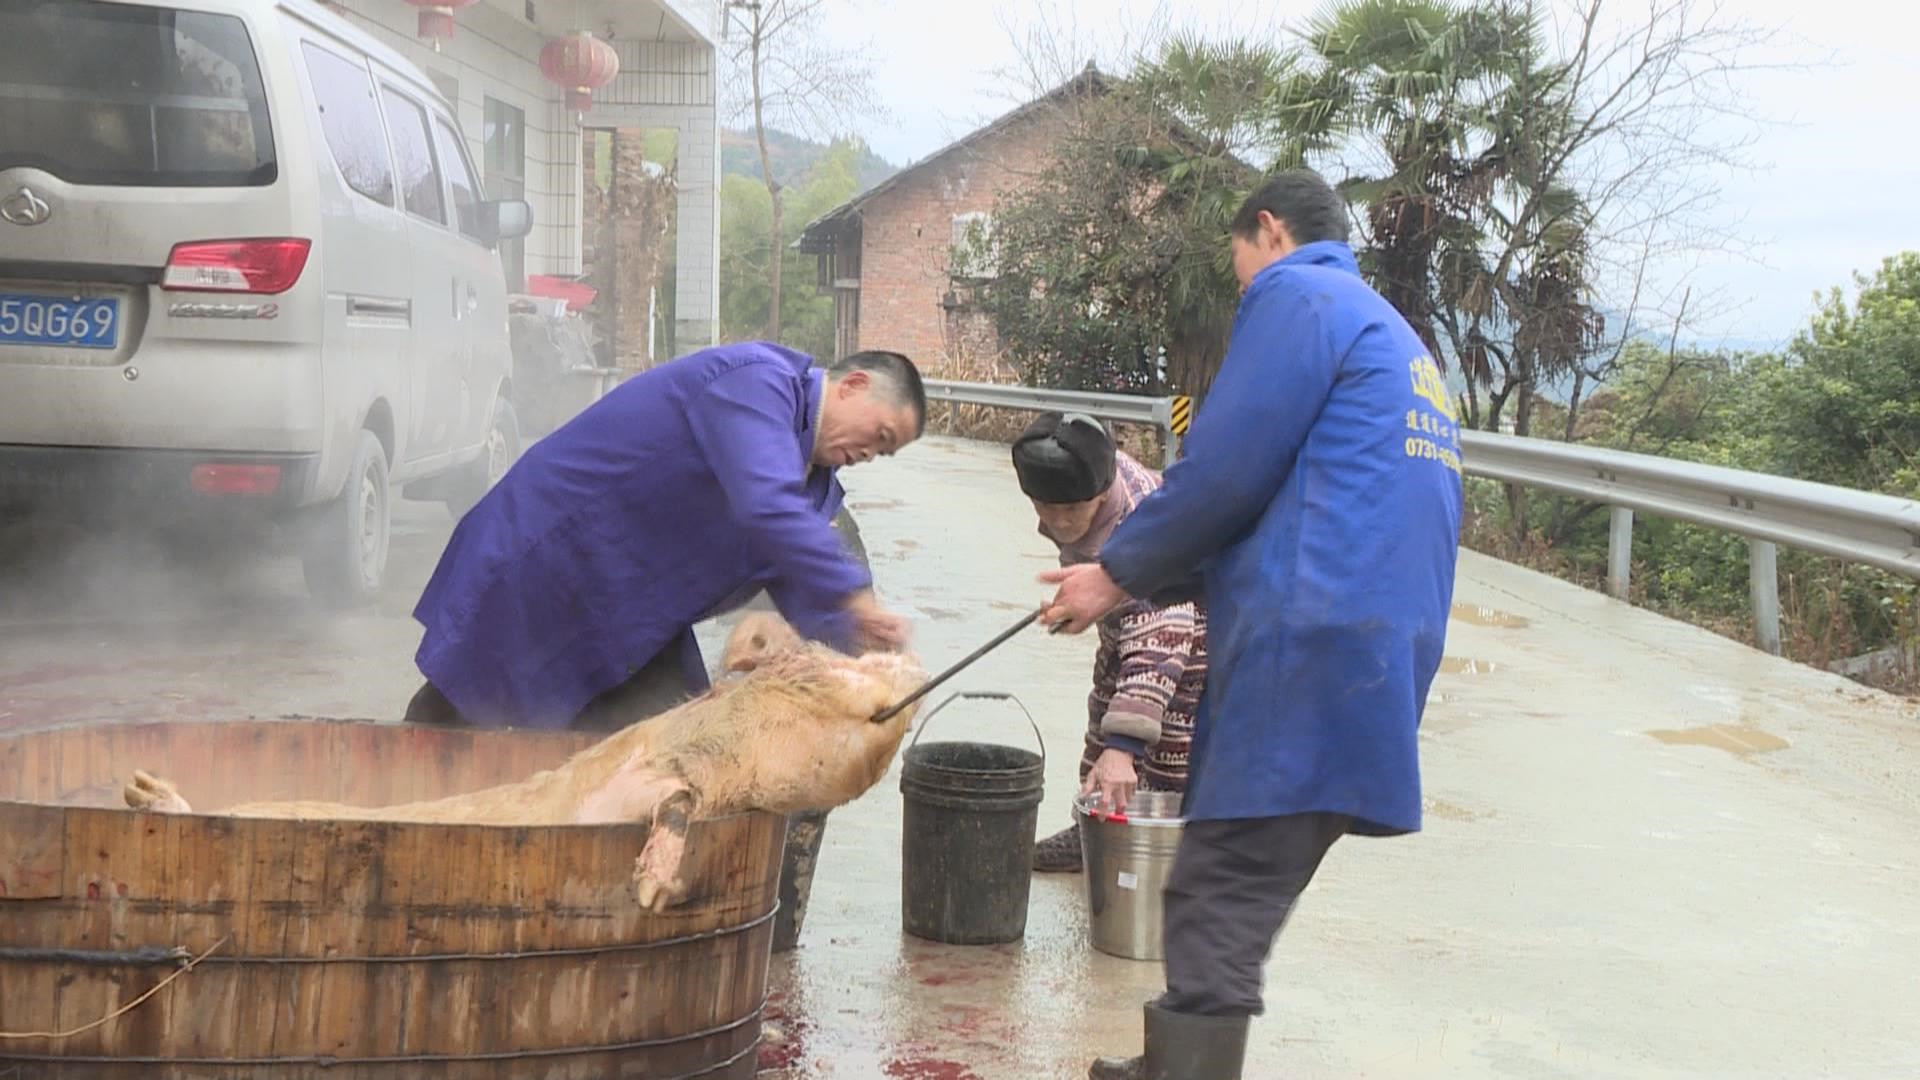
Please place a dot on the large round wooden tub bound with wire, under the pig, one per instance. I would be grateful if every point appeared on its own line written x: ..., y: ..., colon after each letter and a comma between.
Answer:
x: 358, y: 950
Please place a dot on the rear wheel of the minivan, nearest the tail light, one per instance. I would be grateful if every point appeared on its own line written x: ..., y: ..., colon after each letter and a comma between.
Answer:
x: 347, y: 545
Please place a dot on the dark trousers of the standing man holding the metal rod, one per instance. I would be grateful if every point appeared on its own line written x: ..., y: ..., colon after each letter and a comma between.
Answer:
x: 1230, y: 895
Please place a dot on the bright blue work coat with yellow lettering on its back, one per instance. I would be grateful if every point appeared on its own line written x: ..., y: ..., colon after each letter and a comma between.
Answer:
x: 1320, y: 501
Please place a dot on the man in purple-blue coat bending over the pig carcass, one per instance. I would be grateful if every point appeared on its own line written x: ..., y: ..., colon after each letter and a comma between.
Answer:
x: 569, y: 593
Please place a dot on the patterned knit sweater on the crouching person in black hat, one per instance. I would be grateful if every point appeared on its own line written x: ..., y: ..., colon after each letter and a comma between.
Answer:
x: 1151, y: 664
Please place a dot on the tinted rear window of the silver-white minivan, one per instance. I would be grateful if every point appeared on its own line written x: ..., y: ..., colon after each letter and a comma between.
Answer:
x: 122, y: 95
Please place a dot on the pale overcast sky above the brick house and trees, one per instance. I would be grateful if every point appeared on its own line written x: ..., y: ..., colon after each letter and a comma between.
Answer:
x: 1836, y: 191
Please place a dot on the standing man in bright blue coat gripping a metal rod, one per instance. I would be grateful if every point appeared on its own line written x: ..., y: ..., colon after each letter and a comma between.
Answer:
x: 1318, y: 512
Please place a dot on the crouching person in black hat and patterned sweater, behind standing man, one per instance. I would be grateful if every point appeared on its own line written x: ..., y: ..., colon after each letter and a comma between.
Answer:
x: 1151, y: 666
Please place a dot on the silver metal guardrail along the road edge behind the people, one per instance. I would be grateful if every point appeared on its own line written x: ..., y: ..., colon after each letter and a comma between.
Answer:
x: 1844, y: 524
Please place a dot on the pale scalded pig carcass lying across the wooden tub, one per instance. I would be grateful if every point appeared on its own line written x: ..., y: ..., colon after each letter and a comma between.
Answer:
x: 790, y: 731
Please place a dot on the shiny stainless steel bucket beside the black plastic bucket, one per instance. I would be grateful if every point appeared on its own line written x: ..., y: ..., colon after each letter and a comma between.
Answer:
x: 1128, y: 862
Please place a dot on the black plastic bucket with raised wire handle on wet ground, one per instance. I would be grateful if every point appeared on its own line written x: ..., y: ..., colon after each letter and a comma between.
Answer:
x: 967, y: 835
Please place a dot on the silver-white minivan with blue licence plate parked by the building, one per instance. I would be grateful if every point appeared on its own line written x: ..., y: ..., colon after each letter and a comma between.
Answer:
x: 247, y: 268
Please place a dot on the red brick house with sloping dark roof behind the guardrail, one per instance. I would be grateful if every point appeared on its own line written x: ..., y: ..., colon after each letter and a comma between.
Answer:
x: 884, y: 257
